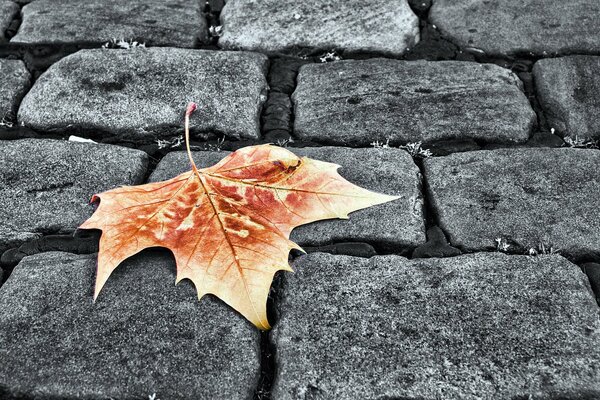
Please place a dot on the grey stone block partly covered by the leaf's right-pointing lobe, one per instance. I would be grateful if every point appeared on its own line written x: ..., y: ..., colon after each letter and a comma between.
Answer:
x: 396, y: 226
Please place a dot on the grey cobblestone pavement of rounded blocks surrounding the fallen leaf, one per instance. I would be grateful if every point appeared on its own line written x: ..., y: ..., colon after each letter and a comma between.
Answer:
x: 482, y: 281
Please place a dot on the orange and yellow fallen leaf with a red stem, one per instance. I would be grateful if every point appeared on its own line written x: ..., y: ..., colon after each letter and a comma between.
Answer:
x: 228, y: 225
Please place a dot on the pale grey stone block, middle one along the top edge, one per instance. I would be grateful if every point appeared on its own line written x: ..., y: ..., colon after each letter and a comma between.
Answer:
x: 292, y: 26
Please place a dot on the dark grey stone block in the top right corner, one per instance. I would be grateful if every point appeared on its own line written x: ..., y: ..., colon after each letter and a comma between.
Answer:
x: 520, y: 27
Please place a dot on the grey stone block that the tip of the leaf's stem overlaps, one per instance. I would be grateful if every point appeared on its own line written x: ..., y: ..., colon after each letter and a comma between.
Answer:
x: 142, y: 94
